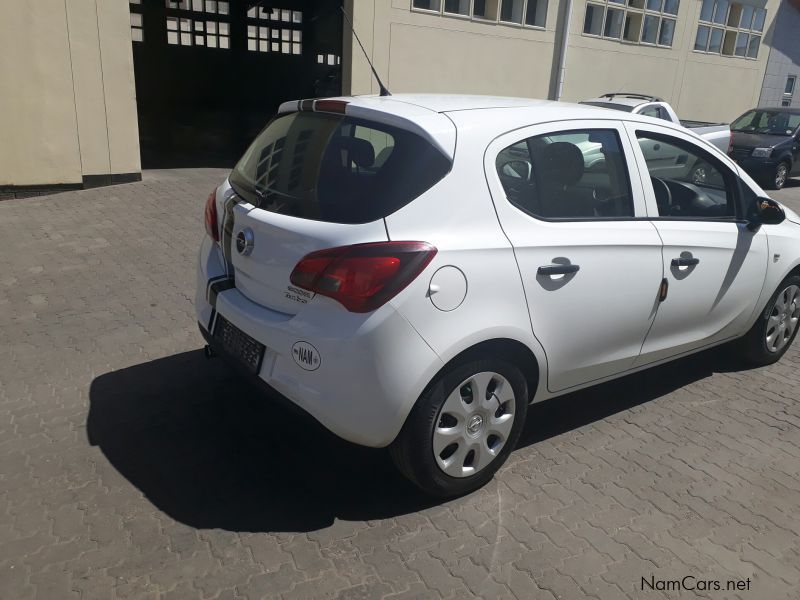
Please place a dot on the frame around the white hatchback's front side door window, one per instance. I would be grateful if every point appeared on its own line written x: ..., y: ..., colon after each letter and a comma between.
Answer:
x: 723, y: 164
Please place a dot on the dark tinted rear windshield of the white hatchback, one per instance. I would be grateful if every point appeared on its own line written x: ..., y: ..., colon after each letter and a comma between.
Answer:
x: 335, y: 168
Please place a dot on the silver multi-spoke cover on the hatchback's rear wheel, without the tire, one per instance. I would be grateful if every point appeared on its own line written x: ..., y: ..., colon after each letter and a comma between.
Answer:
x: 473, y: 424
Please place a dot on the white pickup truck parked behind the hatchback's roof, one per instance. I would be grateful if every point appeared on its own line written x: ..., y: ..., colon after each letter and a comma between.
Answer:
x: 718, y: 134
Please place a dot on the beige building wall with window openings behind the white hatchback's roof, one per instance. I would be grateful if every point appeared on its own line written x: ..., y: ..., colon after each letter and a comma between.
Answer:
x: 415, y: 51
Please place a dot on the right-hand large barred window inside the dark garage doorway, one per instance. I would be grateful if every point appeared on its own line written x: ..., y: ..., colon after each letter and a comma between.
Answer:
x: 272, y: 30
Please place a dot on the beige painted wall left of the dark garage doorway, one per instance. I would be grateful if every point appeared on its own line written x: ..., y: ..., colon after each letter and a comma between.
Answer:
x: 67, y: 101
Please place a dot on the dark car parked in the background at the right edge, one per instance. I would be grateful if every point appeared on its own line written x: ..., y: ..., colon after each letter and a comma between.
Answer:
x: 766, y: 143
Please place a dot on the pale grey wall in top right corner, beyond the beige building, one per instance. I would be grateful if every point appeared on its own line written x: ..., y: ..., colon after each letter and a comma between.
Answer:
x: 784, y: 57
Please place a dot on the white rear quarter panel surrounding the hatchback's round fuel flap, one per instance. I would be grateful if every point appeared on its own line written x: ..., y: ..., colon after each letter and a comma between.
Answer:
x: 458, y: 217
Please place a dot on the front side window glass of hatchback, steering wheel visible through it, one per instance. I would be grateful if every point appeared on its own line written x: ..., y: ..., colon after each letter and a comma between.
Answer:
x: 687, y: 181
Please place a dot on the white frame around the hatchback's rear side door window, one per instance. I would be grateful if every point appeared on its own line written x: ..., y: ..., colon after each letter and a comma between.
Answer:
x: 517, y: 136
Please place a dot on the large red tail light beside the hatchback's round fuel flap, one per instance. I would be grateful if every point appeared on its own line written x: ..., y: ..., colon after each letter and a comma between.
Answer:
x: 363, y: 277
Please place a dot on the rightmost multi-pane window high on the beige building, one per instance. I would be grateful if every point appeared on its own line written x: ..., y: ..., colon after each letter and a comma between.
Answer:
x: 730, y: 29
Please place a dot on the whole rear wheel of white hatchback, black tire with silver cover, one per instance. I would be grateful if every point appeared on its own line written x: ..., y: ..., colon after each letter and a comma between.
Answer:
x: 463, y: 427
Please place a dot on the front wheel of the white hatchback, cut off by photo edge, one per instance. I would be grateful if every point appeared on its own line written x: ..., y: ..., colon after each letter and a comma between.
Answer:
x: 777, y: 326
